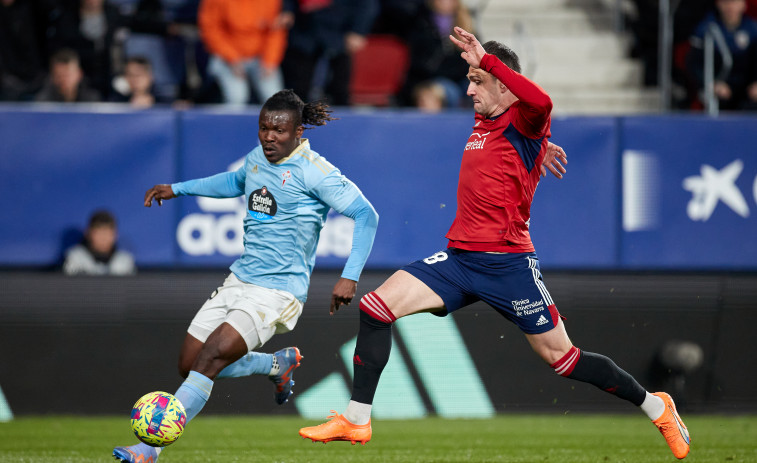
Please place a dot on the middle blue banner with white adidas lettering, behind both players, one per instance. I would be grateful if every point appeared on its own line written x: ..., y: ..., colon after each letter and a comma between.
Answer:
x: 407, y: 165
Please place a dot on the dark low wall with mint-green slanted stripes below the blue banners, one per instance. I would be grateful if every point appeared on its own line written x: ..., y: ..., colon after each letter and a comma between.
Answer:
x: 94, y: 345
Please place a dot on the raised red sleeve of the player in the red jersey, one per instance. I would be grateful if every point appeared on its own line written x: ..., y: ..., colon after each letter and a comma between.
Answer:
x: 535, y: 105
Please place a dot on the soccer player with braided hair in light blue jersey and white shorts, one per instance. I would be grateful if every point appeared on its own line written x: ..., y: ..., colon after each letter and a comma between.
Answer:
x: 289, y: 189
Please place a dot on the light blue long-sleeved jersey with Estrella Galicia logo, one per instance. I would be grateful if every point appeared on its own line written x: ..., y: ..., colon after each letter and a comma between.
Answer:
x: 287, y: 204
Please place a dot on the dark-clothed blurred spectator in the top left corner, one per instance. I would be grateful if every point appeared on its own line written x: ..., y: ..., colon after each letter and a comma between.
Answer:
x: 22, y: 56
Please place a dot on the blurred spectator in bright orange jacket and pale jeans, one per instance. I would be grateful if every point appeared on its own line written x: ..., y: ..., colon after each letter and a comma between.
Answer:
x: 246, y: 39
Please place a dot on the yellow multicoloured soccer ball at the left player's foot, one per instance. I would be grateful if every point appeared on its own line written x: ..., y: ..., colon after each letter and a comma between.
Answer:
x: 158, y: 419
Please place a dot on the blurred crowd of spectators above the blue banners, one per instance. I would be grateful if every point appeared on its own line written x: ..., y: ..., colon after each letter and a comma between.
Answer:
x: 238, y: 52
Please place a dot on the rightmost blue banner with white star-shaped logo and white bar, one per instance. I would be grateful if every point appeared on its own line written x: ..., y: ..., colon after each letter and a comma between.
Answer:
x: 689, y: 193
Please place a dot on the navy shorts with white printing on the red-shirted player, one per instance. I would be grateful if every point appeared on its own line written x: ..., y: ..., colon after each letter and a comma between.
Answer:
x: 510, y: 283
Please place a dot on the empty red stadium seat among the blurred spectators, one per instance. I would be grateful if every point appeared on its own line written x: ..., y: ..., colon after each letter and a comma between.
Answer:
x: 378, y: 71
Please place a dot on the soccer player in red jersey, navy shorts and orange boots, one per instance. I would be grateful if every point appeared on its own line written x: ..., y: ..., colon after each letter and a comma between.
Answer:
x: 490, y: 256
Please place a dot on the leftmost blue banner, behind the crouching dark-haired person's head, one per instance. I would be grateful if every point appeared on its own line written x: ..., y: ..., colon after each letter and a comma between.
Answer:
x: 57, y: 167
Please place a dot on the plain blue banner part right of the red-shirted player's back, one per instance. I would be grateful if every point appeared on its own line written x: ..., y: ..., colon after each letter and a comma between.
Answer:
x: 573, y: 220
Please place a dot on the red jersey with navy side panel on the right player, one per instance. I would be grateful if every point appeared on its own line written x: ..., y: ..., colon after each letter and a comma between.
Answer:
x: 500, y: 169
